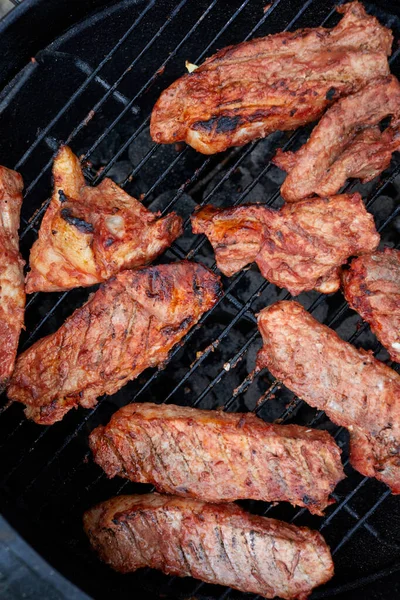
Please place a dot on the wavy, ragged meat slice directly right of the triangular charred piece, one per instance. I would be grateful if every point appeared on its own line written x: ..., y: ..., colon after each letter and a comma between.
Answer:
x: 298, y: 247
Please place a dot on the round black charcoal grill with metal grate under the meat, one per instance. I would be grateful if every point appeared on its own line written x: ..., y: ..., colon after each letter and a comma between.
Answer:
x: 97, y: 69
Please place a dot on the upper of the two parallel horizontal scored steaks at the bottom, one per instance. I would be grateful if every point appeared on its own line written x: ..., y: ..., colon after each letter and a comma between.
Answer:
x: 217, y: 456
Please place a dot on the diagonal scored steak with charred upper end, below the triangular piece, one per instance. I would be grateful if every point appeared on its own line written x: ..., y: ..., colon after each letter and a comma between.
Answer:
x: 131, y: 323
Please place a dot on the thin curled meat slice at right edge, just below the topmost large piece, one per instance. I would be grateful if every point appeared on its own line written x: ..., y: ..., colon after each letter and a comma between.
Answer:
x: 347, y: 142
